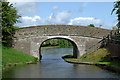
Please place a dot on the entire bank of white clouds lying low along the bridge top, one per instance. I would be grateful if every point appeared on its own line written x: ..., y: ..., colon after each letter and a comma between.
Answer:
x: 59, y: 18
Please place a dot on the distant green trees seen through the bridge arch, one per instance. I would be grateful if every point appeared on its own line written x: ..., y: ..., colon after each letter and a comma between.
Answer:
x: 62, y: 43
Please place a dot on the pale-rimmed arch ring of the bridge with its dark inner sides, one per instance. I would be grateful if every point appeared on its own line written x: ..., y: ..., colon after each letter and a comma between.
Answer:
x: 74, y: 44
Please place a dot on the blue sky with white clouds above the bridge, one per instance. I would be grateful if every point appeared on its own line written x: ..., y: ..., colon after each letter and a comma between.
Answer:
x: 66, y: 13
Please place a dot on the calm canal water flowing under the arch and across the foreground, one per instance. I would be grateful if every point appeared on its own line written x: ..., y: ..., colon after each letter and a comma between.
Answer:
x: 53, y: 66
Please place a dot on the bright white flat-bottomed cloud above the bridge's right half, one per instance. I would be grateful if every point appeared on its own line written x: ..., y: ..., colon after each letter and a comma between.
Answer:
x: 85, y: 21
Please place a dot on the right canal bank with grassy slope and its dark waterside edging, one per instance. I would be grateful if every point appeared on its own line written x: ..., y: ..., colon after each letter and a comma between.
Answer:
x: 99, y: 58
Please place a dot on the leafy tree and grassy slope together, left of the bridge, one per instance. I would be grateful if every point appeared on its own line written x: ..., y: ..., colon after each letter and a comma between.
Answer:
x: 10, y: 55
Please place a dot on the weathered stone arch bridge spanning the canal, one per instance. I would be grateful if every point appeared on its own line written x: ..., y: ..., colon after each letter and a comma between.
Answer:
x: 29, y: 39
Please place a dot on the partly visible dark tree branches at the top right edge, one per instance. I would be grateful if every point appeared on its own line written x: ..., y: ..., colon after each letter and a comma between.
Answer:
x: 117, y: 9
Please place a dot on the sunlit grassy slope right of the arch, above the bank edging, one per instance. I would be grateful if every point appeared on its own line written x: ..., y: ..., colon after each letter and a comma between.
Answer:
x: 101, y: 56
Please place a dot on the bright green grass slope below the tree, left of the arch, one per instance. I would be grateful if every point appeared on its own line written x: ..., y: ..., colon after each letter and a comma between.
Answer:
x: 10, y: 55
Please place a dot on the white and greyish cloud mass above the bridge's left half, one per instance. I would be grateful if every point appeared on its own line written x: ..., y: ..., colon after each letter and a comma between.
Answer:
x: 59, y: 18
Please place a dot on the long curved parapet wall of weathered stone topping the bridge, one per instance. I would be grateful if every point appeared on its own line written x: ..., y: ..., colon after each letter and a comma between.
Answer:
x: 69, y: 30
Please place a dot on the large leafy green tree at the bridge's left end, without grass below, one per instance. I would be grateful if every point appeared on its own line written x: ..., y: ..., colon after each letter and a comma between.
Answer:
x: 9, y: 18
